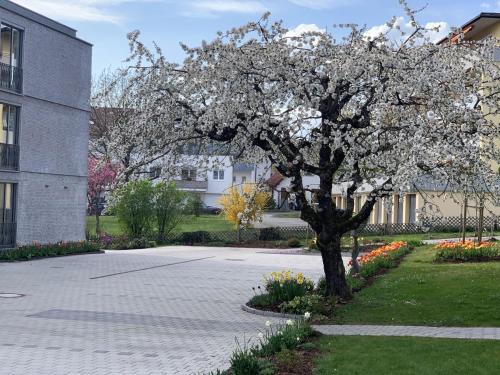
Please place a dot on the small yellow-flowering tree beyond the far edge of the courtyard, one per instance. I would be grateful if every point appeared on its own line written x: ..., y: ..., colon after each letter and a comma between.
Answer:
x: 243, y: 205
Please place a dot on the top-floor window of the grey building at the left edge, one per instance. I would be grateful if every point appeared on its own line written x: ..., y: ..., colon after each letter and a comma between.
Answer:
x: 10, y: 57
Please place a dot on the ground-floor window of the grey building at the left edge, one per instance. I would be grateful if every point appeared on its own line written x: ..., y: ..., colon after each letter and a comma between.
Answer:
x: 7, y: 214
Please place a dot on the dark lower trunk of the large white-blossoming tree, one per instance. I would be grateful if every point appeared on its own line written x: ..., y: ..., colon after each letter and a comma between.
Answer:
x: 333, y: 264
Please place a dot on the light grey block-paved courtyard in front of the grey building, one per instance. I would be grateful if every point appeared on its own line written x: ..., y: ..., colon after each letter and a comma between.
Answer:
x: 172, y: 310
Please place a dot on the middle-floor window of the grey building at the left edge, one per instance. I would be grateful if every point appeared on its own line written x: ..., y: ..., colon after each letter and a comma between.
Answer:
x: 9, y: 150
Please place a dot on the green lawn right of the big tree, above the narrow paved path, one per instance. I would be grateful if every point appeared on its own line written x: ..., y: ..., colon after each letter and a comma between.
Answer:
x: 420, y: 292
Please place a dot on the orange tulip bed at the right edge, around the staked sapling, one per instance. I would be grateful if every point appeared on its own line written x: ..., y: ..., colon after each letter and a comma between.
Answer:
x: 466, y: 252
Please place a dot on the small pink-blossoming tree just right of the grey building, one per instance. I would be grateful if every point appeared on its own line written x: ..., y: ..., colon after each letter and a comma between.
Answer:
x: 101, y: 179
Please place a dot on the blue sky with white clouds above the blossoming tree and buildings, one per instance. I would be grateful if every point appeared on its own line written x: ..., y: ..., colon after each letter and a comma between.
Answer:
x: 105, y: 23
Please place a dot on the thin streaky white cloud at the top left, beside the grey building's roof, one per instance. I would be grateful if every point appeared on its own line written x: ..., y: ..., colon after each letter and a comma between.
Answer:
x: 78, y: 10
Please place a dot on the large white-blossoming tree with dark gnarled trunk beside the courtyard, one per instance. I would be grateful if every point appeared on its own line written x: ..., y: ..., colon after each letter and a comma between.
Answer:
x: 349, y: 110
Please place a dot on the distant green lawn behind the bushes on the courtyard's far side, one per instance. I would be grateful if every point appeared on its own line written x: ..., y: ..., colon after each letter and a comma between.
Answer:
x: 211, y: 223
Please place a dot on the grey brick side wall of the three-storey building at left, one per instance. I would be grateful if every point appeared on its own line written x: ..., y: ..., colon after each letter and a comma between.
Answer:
x: 53, y: 132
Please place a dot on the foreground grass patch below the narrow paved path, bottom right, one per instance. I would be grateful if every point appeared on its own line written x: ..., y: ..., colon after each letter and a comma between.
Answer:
x: 361, y: 355
